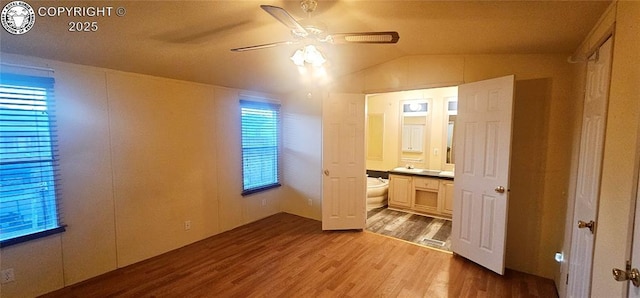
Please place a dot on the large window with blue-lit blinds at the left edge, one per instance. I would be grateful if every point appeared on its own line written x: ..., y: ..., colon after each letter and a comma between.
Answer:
x: 29, y: 204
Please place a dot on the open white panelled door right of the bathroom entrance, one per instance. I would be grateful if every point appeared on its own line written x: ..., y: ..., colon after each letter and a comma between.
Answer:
x: 483, y: 152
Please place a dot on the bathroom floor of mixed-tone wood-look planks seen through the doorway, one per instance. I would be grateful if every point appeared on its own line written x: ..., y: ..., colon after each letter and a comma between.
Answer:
x: 422, y: 230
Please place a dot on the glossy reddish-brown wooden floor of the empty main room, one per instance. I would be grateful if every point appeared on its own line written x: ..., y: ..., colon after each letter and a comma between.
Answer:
x: 289, y: 256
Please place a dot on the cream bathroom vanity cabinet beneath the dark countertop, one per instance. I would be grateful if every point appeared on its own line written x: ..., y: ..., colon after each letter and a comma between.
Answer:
x: 420, y: 194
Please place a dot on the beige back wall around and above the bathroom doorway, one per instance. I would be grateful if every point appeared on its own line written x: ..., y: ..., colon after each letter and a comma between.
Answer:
x: 537, y: 233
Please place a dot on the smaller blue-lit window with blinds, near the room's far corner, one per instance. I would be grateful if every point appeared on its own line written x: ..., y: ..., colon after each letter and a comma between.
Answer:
x: 260, y: 146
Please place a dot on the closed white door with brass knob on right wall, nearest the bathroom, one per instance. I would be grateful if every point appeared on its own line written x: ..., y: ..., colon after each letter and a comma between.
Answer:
x: 589, y: 171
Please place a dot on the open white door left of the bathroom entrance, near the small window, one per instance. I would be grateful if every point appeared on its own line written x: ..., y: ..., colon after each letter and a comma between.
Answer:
x: 343, y: 162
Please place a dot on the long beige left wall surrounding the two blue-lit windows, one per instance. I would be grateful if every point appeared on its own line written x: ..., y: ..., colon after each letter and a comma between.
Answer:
x: 139, y: 156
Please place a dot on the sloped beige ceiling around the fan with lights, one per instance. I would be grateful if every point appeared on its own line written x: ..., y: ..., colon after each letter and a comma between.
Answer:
x: 190, y: 40
